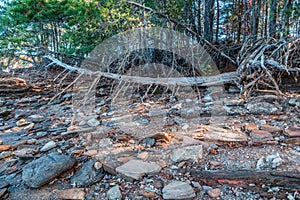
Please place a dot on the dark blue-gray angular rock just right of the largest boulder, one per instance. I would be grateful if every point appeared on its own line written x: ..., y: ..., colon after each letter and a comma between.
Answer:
x: 87, y: 175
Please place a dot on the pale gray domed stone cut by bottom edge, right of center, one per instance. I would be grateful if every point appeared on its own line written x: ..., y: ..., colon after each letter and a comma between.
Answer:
x: 178, y: 190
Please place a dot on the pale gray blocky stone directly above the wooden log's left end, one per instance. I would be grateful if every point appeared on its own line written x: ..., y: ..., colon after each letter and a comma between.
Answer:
x: 188, y: 153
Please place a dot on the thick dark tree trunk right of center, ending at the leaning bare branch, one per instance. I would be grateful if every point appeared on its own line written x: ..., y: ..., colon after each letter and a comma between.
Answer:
x: 208, y: 20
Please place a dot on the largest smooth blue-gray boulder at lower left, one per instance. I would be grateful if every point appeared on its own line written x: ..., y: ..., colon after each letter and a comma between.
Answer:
x: 45, y: 169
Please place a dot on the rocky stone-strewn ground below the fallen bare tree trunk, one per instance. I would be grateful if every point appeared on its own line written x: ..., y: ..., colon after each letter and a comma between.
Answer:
x: 251, y: 153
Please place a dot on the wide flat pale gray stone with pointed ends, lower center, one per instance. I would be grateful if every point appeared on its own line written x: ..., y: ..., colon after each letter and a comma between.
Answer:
x: 135, y: 169
